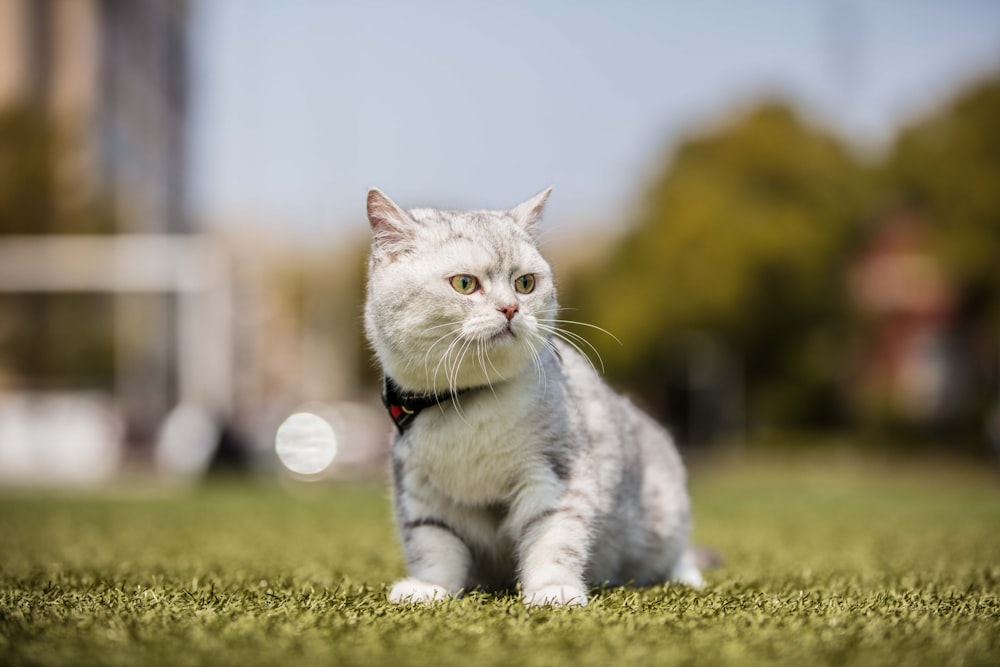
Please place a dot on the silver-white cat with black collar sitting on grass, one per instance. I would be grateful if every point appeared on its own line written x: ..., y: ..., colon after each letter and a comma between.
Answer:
x: 513, y: 462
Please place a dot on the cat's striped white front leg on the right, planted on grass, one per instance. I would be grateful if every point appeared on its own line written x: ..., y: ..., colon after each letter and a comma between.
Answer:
x: 553, y: 549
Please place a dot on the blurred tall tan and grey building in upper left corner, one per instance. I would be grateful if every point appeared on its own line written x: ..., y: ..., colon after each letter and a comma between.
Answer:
x: 113, y: 74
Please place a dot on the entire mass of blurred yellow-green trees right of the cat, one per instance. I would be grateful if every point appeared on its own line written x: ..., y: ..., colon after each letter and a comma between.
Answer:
x: 742, y: 245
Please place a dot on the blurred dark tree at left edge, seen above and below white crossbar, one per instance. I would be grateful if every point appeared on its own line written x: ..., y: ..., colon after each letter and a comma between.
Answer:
x: 49, y: 340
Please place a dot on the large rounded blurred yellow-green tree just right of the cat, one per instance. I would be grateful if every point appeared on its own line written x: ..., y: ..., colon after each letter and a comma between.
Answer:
x: 738, y: 242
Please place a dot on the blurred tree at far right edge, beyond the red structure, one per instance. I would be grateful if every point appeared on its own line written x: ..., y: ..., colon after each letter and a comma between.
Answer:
x: 946, y: 167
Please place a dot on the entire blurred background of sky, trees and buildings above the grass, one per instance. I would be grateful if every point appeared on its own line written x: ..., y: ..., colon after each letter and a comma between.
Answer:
x: 787, y: 212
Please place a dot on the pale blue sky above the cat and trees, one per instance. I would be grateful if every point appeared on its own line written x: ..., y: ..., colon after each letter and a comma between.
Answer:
x: 299, y: 106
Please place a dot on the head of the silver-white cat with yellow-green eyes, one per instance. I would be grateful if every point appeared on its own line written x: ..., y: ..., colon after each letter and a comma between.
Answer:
x: 456, y: 299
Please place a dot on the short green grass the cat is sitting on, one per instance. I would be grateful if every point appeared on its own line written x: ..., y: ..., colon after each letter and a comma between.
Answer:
x: 826, y: 563
